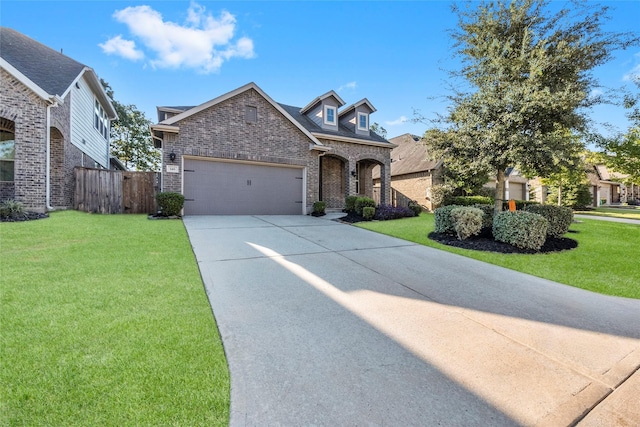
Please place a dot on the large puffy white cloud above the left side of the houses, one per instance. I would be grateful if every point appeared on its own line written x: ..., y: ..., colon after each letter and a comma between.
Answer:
x: 203, y: 43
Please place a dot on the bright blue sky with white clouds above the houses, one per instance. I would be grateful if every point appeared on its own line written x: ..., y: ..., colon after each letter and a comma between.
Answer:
x: 186, y: 53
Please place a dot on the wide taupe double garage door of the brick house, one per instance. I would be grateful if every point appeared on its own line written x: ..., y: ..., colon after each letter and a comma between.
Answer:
x: 233, y: 188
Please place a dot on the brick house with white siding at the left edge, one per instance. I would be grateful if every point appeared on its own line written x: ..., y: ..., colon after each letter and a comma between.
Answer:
x: 54, y: 116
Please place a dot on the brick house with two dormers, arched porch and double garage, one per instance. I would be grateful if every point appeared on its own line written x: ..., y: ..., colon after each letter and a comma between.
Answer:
x: 244, y: 153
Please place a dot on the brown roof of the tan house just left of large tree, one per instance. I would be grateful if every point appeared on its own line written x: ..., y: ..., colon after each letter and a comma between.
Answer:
x: 410, y: 156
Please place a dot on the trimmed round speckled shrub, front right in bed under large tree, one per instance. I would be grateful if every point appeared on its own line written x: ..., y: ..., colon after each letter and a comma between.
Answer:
x: 522, y: 229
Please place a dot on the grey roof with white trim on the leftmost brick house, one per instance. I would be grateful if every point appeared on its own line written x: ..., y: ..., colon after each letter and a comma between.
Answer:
x: 47, y: 72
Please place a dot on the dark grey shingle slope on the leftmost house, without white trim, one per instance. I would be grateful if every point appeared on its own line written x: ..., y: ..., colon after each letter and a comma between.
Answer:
x: 50, y: 70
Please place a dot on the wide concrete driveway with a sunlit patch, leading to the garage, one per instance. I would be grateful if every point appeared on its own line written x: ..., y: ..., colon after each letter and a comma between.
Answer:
x: 327, y: 324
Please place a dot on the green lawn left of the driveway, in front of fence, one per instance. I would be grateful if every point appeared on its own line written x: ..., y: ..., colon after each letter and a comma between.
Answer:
x: 104, y: 321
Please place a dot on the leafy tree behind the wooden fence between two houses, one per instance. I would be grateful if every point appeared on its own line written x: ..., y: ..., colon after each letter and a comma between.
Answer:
x: 131, y: 140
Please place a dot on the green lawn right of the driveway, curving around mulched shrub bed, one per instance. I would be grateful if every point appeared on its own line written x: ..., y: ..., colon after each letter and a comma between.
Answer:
x: 604, y: 261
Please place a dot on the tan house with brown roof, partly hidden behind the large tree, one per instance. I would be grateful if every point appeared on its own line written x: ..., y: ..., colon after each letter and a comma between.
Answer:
x: 413, y: 173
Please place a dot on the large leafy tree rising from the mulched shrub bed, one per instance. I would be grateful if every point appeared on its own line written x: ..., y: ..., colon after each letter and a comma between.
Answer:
x: 526, y: 81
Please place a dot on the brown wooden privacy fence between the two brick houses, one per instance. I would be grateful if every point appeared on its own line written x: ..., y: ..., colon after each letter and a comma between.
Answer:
x: 111, y: 192
